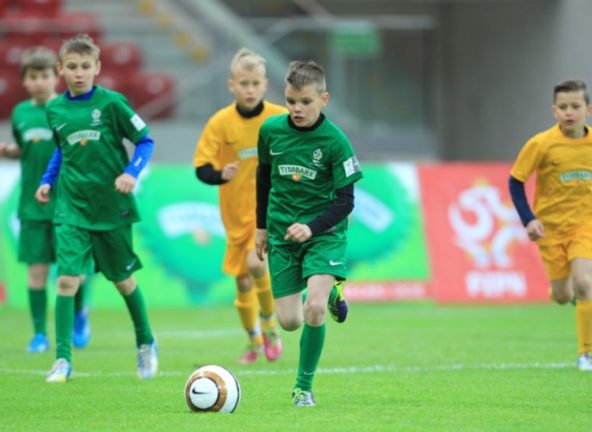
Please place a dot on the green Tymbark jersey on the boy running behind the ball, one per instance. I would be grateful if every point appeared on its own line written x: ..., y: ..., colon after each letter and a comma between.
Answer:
x: 307, y: 166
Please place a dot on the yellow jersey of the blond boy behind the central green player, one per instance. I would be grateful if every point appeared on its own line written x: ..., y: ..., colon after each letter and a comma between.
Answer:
x: 228, y: 137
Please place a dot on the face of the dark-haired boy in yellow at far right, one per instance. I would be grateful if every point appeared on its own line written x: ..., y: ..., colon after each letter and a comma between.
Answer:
x: 570, y: 109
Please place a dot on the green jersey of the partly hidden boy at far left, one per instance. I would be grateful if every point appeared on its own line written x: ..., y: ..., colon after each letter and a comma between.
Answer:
x: 35, y: 139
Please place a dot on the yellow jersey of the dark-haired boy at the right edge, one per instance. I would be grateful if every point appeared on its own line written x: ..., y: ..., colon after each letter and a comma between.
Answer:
x: 563, y: 192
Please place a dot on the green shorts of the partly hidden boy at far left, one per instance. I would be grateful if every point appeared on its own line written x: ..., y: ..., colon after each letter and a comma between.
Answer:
x: 37, y: 242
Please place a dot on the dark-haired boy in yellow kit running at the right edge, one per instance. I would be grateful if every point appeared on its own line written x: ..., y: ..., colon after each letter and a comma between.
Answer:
x: 561, y: 223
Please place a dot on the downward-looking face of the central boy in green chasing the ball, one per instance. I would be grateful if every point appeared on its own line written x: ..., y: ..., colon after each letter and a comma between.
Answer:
x: 305, y: 104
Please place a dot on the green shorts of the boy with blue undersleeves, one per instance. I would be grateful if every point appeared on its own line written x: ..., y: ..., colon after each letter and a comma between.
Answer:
x: 111, y: 250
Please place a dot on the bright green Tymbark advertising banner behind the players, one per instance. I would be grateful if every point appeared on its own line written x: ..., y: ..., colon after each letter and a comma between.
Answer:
x: 181, y: 239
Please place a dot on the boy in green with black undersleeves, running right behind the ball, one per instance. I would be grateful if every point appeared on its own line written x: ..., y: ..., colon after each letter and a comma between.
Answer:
x: 307, y: 169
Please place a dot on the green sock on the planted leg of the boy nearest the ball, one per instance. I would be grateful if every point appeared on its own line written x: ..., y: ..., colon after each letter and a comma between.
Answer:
x: 311, y: 346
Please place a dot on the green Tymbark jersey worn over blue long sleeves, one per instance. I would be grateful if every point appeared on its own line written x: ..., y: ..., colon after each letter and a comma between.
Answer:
x: 90, y: 135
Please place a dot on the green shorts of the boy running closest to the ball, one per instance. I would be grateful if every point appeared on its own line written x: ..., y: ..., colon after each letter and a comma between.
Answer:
x: 291, y: 264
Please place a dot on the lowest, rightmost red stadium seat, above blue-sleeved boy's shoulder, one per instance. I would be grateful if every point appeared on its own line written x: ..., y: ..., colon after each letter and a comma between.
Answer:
x: 154, y: 94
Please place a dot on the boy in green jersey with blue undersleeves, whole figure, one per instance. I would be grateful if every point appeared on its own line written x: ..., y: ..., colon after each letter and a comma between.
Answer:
x: 95, y: 207
